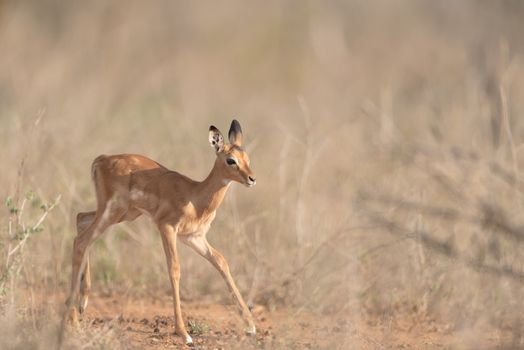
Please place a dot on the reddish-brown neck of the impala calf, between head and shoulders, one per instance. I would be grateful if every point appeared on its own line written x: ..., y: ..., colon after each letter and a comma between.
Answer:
x: 212, y: 190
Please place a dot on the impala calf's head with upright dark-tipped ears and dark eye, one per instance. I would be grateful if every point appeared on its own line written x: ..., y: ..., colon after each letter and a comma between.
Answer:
x: 231, y: 157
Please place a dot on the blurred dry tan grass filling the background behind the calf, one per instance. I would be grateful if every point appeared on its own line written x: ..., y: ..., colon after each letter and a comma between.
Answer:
x: 367, y: 124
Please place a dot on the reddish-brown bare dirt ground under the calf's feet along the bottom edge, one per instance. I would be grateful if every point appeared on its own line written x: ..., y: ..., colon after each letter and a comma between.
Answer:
x: 147, y: 323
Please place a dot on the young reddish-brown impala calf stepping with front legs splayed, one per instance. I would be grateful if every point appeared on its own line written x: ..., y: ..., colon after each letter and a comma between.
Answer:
x: 129, y: 185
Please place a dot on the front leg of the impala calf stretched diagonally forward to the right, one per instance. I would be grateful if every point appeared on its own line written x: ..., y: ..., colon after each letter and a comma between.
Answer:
x: 202, y: 247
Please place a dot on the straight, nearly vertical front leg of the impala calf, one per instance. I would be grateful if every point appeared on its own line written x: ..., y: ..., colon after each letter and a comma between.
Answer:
x: 173, y: 266
